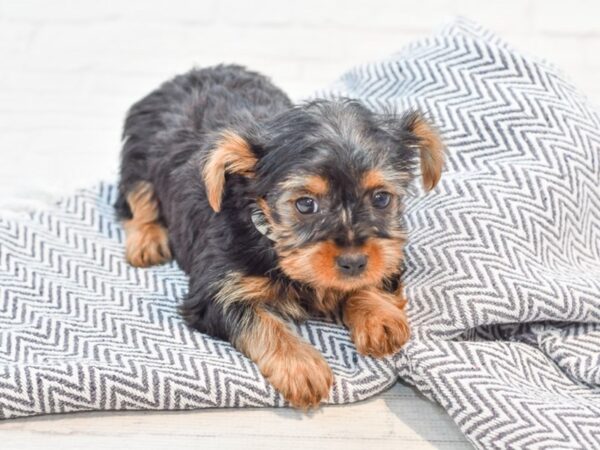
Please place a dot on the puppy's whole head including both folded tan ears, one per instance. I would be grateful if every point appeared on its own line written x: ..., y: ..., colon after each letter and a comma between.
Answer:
x: 330, y: 177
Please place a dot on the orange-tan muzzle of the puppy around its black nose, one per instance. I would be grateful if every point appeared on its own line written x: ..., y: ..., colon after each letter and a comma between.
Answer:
x: 325, y: 265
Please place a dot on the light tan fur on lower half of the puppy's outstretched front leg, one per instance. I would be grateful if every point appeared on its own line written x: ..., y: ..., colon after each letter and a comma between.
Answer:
x: 292, y: 366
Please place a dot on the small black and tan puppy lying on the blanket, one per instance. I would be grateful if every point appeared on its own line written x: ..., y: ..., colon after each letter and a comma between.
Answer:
x: 277, y: 213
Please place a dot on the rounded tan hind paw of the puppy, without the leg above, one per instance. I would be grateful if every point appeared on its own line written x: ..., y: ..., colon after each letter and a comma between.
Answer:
x: 147, y: 245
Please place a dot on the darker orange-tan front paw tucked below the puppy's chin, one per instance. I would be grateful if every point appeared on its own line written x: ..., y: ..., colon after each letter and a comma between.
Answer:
x: 381, y: 334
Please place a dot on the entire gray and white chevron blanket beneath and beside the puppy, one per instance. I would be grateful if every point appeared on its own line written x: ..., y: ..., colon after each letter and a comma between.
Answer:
x: 503, y: 272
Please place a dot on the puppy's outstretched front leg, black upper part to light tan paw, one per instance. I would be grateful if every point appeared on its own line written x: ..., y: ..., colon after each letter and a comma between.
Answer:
x: 241, y: 309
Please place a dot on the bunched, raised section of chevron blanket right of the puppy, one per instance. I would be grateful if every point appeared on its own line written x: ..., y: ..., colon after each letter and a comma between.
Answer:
x: 503, y: 258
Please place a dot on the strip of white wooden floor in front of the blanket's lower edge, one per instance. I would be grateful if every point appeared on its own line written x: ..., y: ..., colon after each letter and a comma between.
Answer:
x: 398, y: 419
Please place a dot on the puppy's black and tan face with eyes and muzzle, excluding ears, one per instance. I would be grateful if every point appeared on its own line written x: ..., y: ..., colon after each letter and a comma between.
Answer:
x: 337, y: 227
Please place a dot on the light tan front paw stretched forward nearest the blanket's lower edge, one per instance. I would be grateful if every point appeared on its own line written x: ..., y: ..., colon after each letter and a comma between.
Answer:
x: 302, y: 376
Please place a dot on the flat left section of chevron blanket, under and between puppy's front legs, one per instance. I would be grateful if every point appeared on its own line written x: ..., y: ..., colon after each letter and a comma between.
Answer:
x: 80, y: 329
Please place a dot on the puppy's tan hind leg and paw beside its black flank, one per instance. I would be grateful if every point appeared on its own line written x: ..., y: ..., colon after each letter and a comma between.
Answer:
x: 147, y: 241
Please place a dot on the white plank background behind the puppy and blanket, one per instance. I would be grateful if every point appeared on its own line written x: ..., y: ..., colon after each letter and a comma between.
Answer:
x: 69, y: 69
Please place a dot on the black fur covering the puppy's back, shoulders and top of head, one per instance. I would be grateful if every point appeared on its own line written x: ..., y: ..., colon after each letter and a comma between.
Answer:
x: 169, y: 134
